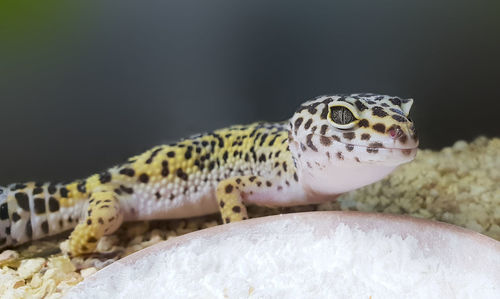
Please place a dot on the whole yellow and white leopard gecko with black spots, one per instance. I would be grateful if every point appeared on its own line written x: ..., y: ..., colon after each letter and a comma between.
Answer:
x: 309, y: 159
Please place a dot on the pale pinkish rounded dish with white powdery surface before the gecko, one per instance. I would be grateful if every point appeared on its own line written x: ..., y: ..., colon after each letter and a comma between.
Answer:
x: 439, y: 260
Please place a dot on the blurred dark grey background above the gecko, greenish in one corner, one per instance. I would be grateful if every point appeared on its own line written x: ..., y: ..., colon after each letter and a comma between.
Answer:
x: 85, y: 84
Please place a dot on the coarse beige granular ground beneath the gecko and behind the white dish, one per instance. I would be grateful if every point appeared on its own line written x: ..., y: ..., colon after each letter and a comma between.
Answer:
x: 458, y: 185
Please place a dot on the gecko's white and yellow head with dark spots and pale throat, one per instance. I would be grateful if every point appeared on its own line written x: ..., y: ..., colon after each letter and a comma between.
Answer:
x: 343, y: 142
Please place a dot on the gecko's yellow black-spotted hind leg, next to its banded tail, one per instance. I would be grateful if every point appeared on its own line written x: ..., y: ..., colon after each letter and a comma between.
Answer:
x: 103, y: 217
